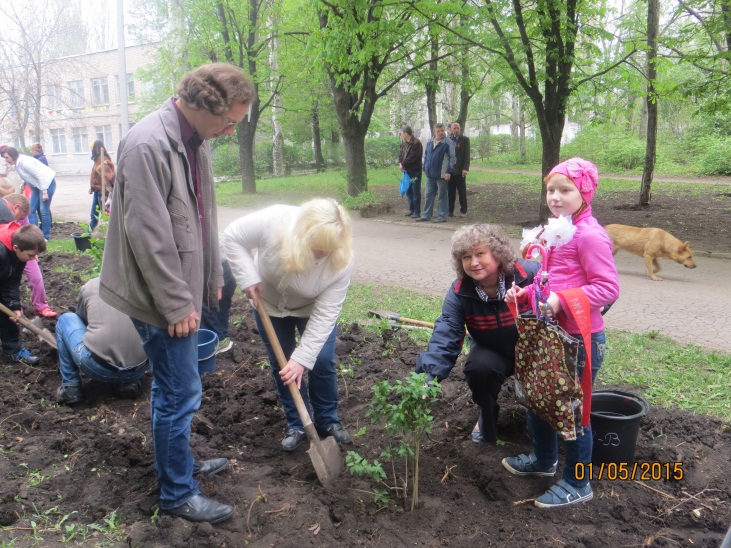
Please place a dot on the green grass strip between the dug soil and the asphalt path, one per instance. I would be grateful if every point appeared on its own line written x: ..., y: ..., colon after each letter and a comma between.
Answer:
x: 665, y: 372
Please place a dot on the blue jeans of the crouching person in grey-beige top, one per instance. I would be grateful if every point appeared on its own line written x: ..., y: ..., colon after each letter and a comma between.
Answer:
x: 75, y: 358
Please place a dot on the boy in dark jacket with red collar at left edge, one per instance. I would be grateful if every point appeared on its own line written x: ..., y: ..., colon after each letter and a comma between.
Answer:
x: 18, y: 244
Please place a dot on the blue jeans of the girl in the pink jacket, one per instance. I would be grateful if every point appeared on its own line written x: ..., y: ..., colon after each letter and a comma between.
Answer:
x: 545, y: 440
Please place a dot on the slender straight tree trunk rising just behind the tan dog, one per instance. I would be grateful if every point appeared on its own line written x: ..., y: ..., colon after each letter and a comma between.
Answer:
x: 651, y: 99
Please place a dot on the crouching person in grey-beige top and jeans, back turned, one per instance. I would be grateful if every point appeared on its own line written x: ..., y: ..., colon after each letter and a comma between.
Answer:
x: 100, y: 342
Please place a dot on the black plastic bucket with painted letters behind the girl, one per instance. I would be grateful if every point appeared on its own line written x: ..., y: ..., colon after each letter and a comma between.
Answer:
x: 615, y: 423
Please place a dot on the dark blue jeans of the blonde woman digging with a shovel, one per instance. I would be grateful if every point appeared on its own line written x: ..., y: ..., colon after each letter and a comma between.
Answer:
x: 322, y: 379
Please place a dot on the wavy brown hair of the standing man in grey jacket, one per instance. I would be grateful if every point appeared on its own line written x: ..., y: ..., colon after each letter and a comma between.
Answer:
x: 216, y: 87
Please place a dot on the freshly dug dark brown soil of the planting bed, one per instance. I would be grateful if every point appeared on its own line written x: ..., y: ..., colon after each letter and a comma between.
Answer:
x: 95, y: 460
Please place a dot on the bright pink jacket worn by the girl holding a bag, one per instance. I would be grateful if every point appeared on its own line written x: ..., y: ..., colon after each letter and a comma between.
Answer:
x: 586, y: 262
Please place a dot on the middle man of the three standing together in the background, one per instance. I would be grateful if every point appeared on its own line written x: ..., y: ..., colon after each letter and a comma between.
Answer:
x: 439, y: 162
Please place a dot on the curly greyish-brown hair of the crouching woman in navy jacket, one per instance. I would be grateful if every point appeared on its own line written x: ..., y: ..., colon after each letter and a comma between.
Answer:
x: 469, y: 236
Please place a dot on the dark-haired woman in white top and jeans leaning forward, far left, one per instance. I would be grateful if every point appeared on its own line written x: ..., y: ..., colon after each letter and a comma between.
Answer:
x: 42, y: 179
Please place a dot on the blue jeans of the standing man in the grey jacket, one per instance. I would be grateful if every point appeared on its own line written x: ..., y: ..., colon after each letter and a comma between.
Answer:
x: 174, y: 399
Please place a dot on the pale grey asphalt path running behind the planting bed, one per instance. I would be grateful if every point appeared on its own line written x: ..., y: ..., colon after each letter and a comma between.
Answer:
x: 690, y: 306
